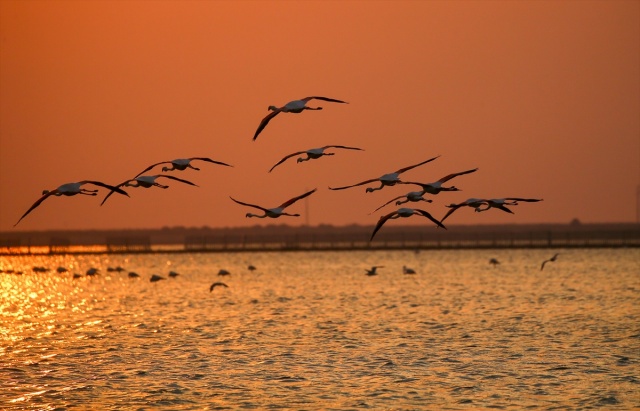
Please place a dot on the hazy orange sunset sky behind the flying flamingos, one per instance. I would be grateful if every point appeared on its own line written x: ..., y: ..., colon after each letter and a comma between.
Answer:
x: 543, y: 97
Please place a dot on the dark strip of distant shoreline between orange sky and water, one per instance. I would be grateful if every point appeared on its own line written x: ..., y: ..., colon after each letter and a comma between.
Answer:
x: 319, y: 238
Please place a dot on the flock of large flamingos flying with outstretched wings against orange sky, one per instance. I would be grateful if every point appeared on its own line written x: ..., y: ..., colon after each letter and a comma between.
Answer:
x: 298, y: 106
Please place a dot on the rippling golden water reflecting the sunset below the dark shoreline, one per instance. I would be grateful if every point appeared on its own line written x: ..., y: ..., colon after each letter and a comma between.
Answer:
x: 311, y: 331
